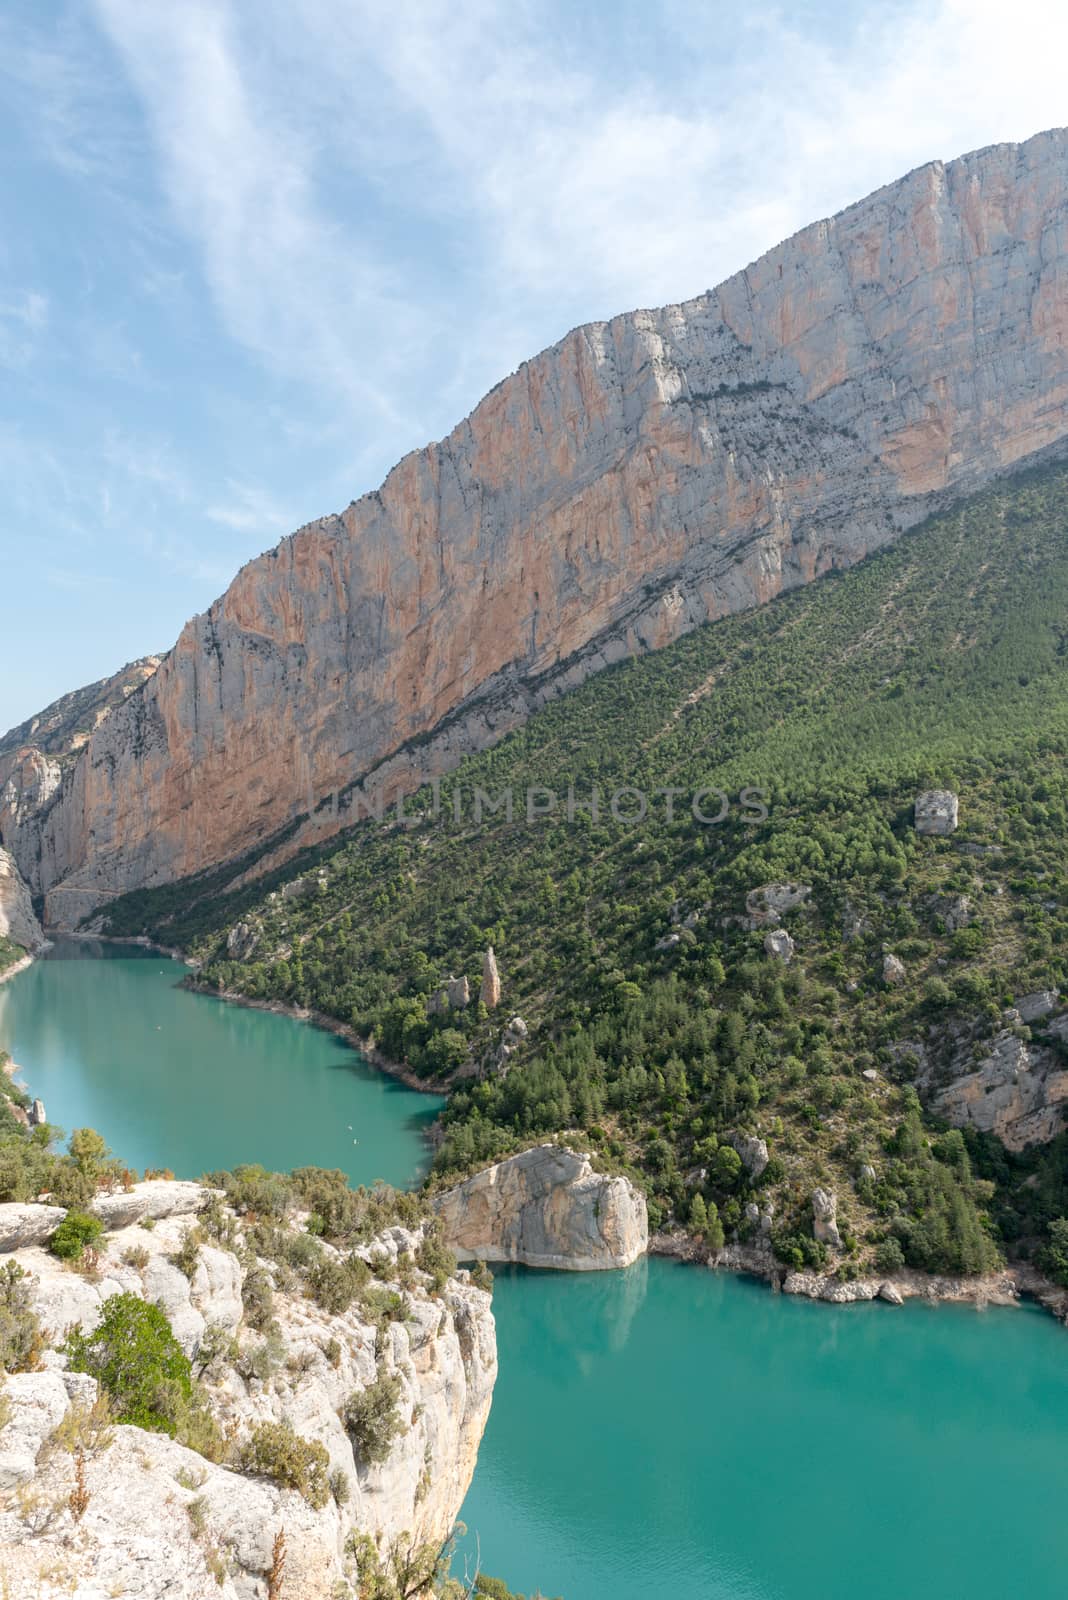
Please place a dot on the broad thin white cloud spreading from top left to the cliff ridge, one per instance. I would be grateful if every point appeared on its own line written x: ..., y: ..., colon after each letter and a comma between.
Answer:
x: 317, y: 151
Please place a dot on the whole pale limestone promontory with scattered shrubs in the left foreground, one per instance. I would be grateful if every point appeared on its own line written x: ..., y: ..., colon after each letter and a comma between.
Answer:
x: 386, y: 1391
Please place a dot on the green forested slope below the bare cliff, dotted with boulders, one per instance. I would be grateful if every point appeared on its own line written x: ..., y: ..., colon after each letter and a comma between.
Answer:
x: 941, y: 663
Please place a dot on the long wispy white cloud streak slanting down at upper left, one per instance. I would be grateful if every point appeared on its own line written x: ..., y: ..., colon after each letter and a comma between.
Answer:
x: 239, y: 170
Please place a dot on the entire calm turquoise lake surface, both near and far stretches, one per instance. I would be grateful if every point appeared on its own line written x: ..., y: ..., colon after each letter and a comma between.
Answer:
x: 656, y: 1434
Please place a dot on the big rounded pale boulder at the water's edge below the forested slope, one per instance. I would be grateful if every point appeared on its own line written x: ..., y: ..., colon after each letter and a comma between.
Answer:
x: 548, y: 1209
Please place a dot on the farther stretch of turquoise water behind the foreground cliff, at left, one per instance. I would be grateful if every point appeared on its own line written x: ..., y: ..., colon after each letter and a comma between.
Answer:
x: 108, y: 1041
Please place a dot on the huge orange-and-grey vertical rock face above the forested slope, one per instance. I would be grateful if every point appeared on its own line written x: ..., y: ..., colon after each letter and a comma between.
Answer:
x: 637, y: 479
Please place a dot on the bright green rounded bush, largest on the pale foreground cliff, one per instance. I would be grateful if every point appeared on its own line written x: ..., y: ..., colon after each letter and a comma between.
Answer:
x: 138, y: 1361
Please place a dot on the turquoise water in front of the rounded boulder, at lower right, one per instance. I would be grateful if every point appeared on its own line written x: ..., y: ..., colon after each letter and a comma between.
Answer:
x: 675, y: 1434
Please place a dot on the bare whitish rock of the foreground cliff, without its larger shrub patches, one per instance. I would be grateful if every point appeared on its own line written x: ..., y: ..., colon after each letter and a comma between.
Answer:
x: 140, y: 1535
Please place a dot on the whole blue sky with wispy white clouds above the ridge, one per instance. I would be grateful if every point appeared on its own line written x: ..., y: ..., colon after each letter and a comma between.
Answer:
x: 257, y: 250
